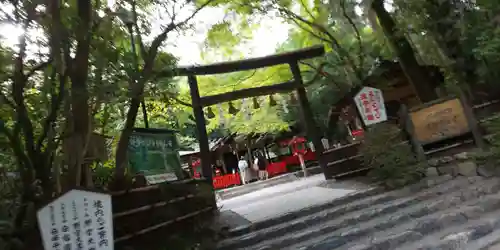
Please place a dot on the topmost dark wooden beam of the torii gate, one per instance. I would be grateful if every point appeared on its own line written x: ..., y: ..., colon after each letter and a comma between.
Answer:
x: 253, y: 63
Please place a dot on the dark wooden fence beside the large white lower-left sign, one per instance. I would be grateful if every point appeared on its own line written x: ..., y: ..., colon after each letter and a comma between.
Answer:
x: 149, y: 215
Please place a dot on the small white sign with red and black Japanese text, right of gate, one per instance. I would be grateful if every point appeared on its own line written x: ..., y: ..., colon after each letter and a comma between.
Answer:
x: 370, y: 103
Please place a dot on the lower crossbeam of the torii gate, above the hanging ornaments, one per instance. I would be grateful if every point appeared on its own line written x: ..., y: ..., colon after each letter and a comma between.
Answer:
x: 250, y: 92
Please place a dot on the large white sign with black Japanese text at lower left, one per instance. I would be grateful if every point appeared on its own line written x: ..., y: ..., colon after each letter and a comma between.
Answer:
x: 78, y: 220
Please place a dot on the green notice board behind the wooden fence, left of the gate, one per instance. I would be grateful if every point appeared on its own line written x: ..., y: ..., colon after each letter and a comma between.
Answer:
x: 154, y: 153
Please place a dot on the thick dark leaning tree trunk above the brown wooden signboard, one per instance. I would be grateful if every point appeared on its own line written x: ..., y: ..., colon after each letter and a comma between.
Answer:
x: 420, y: 78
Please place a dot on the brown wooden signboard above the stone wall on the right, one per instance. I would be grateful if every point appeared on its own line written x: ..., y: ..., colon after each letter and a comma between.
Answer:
x: 440, y: 121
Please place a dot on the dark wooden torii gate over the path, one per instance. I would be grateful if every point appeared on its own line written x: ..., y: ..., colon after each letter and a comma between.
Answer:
x: 290, y: 58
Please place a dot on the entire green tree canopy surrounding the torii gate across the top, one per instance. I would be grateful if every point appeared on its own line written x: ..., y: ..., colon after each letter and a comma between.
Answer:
x: 85, y: 67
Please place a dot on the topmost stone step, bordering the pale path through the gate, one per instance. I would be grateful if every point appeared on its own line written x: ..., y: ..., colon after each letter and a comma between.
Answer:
x: 435, y: 187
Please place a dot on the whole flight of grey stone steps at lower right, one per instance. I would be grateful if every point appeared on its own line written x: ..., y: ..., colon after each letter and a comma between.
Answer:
x: 438, y: 213
